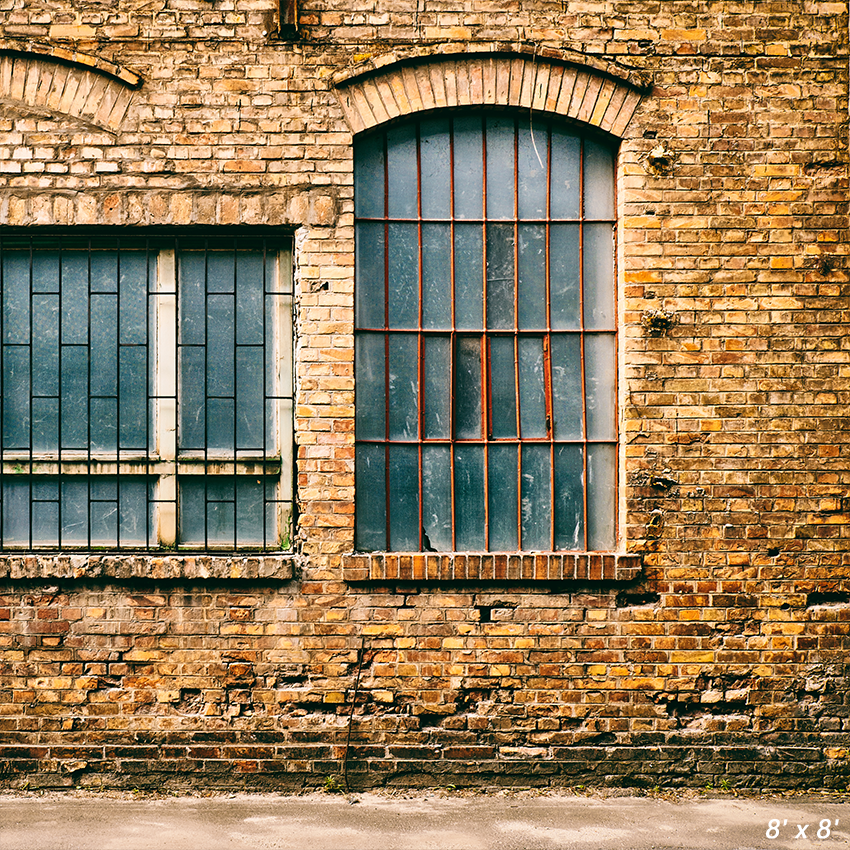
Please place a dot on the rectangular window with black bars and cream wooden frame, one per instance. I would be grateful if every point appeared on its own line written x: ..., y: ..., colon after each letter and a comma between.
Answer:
x: 146, y: 391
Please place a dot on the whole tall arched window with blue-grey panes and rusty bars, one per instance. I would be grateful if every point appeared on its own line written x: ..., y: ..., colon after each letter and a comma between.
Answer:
x: 486, y: 338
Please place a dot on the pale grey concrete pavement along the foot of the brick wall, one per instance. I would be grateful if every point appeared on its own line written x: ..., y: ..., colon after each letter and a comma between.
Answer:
x: 421, y: 819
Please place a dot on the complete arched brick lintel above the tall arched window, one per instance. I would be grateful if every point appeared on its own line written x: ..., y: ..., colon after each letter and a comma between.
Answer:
x: 582, y: 94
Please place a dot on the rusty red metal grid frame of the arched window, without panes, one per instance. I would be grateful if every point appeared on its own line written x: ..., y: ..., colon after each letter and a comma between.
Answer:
x: 487, y: 335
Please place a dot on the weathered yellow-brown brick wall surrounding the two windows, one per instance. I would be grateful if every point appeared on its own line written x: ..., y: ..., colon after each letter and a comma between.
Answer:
x: 722, y: 654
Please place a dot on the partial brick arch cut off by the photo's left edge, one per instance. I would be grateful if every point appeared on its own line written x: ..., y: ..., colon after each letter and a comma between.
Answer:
x: 64, y: 85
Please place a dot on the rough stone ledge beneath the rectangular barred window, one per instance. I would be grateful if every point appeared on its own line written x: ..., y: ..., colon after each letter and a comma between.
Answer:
x: 147, y: 566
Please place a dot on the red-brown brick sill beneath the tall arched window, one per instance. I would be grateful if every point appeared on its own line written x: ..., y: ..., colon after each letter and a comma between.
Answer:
x: 486, y: 566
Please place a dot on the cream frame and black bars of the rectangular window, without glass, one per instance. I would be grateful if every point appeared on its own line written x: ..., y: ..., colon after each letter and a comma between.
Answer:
x: 163, y: 463
